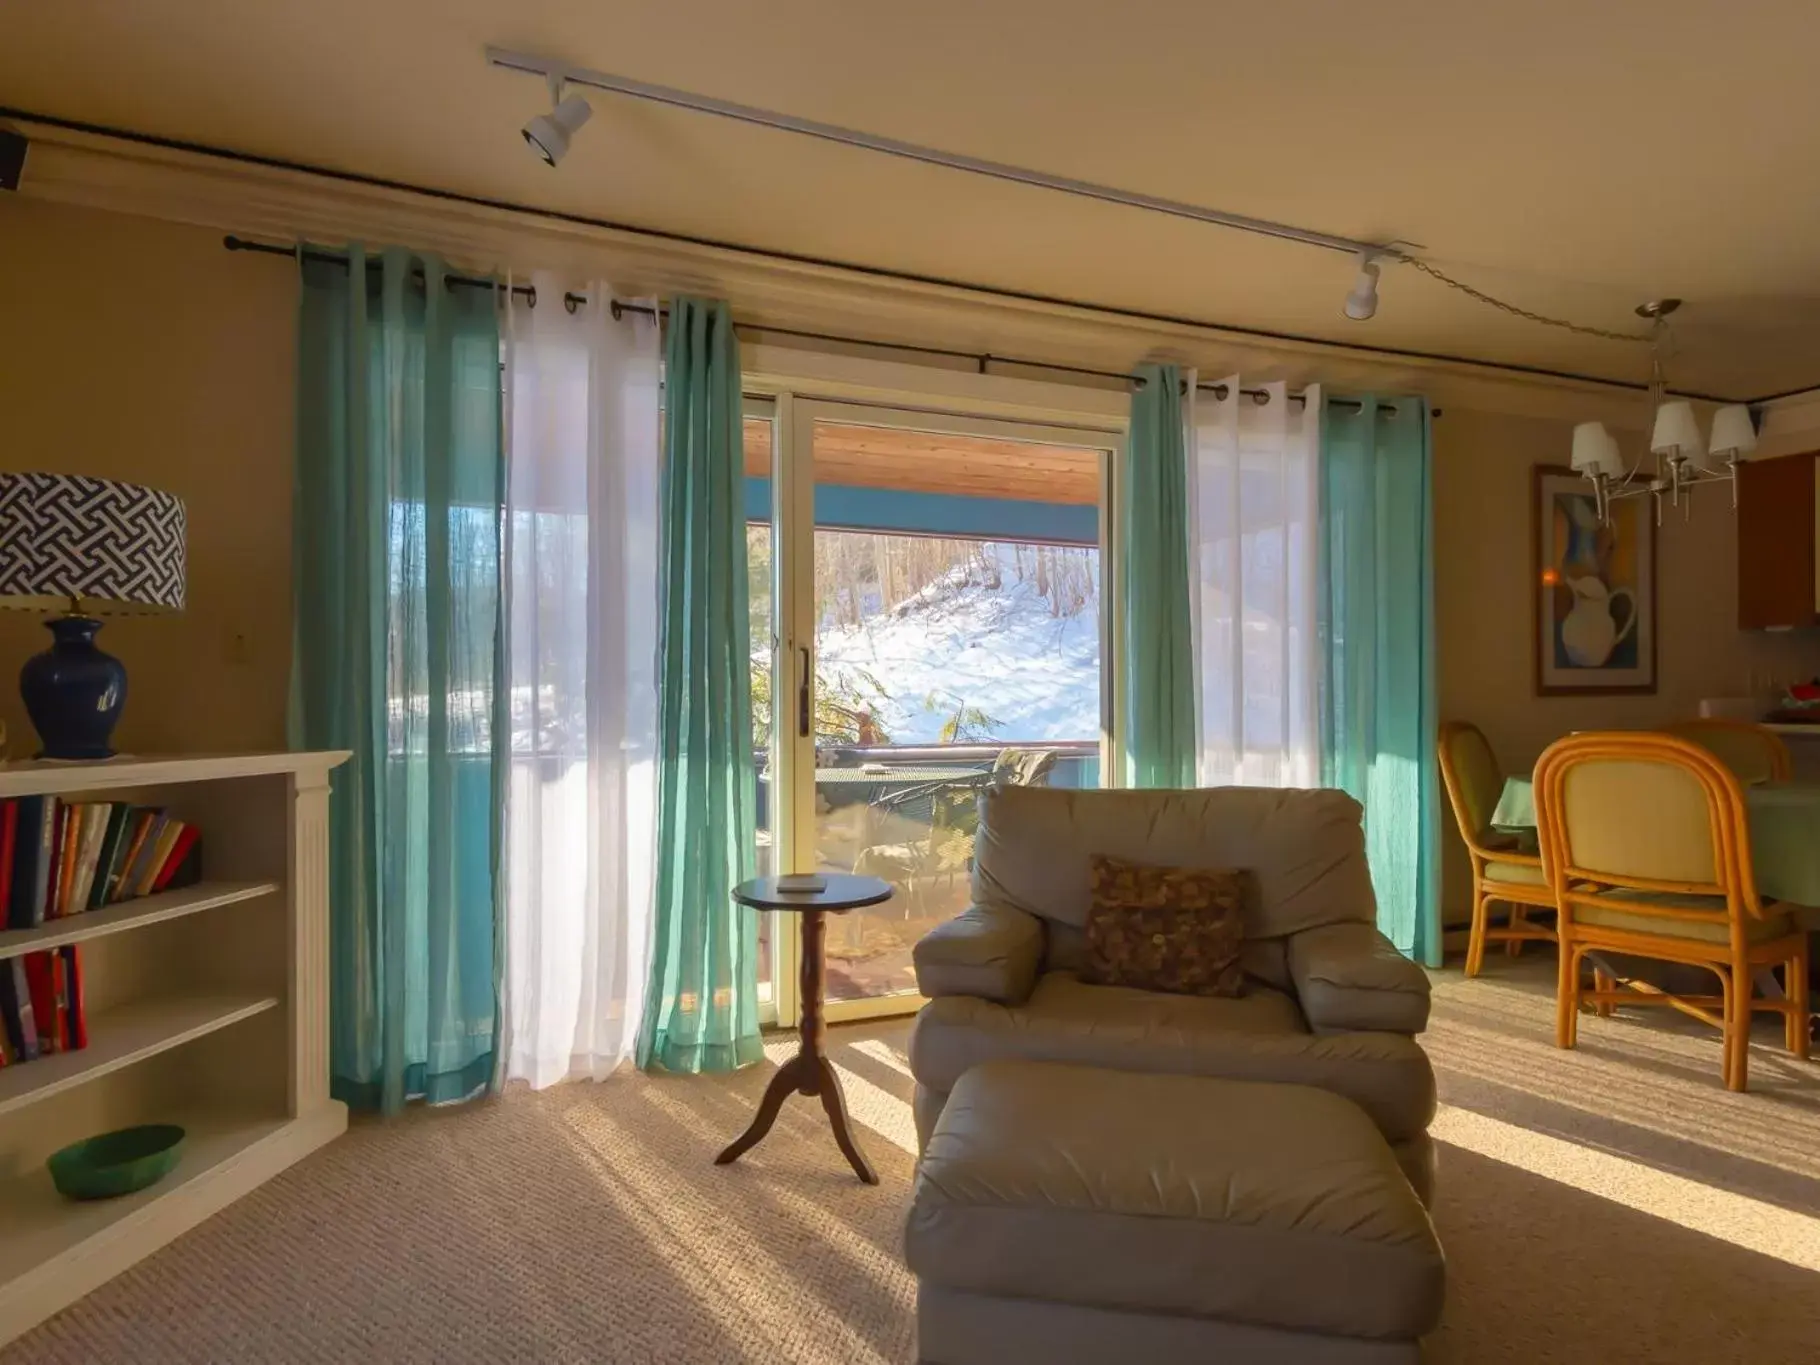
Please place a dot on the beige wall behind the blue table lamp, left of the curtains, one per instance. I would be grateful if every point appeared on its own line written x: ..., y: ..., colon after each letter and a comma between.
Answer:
x: 145, y: 352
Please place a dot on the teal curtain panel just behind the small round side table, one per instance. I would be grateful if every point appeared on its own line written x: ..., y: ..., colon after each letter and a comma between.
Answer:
x: 702, y: 1011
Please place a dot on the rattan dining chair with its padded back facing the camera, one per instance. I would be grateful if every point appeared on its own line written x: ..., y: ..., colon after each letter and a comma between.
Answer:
x: 1648, y: 851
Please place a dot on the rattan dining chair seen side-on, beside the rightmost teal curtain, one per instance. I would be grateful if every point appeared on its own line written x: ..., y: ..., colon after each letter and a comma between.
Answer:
x: 1501, y: 869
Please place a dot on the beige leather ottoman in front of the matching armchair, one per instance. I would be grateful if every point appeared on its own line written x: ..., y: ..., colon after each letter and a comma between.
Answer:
x: 1080, y: 1217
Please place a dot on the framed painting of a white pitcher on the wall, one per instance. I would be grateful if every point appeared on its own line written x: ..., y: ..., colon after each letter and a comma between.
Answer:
x: 1555, y: 674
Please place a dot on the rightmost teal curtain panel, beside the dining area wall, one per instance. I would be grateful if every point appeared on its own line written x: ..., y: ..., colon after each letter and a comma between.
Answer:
x: 1377, y: 620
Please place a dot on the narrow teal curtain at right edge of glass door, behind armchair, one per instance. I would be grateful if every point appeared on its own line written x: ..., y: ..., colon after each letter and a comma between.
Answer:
x: 1153, y: 511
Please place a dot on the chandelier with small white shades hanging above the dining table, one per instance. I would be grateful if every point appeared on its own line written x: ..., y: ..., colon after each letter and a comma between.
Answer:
x: 1681, y: 460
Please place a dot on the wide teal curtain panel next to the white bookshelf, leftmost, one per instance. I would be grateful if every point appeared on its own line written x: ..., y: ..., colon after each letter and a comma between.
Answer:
x: 398, y: 656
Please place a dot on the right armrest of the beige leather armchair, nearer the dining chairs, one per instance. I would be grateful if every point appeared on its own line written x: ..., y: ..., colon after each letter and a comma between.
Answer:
x: 1351, y: 980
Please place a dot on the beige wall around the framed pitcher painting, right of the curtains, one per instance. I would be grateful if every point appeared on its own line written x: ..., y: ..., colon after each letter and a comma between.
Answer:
x: 1482, y: 605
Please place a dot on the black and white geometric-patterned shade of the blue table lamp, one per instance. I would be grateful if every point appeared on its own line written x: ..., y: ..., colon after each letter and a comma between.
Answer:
x: 116, y: 549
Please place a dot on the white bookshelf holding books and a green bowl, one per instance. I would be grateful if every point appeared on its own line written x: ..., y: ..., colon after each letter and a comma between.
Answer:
x: 207, y: 1007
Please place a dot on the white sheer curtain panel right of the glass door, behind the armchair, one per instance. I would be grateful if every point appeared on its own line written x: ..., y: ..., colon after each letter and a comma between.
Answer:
x: 1255, y: 523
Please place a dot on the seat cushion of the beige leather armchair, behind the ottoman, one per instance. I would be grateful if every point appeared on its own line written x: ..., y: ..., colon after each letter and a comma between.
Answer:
x: 1260, y: 1036
